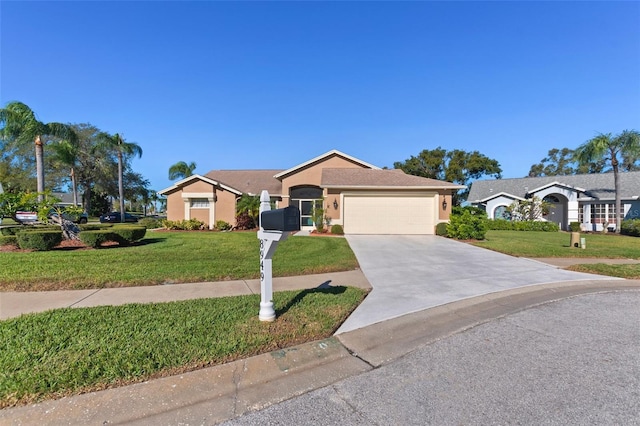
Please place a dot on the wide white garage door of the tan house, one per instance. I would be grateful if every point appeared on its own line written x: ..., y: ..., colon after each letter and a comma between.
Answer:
x: 389, y: 214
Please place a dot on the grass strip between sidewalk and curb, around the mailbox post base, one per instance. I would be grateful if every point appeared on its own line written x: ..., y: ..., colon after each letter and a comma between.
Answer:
x: 69, y: 351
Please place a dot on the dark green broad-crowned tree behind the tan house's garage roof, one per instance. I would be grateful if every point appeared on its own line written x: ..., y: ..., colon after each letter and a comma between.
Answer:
x: 452, y: 166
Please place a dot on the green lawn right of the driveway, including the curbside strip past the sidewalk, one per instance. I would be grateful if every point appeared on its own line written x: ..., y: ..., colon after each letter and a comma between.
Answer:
x: 556, y: 244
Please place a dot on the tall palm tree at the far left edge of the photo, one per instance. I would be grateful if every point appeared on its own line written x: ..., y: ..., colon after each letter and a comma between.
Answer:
x: 20, y: 122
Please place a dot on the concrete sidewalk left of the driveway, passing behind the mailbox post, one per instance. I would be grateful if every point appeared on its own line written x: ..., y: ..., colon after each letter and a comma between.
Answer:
x: 13, y: 304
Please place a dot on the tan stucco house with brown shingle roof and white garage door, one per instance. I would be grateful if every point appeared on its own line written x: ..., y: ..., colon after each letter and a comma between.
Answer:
x: 363, y: 198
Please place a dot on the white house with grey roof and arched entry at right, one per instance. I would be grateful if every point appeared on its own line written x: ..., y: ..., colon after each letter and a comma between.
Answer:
x: 588, y: 199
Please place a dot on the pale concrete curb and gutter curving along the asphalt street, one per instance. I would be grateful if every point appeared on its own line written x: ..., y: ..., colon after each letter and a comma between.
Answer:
x: 219, y: 393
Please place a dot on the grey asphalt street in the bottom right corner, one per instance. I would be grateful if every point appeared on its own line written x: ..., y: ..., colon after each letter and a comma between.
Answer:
x: 573, y: 361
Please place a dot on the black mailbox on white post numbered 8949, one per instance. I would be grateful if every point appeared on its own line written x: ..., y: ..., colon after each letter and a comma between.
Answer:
x: 278, y: 223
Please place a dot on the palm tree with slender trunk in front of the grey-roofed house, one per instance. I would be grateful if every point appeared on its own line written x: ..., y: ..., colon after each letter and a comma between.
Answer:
x: 607, y: 147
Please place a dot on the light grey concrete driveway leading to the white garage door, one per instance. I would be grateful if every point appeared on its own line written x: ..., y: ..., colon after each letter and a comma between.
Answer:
x: 410, y: 273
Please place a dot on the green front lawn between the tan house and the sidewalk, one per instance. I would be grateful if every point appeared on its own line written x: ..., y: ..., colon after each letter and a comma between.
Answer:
x: 170, y: 257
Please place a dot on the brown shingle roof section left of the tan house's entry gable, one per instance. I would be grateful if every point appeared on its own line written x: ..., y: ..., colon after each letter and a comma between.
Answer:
x: 249, y: 181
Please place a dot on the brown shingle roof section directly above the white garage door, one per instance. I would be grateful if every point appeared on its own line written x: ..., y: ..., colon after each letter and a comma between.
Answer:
x: 369, y: 178
